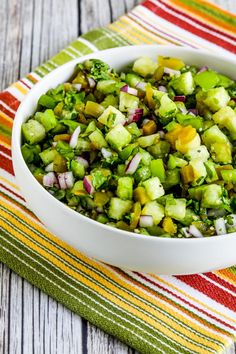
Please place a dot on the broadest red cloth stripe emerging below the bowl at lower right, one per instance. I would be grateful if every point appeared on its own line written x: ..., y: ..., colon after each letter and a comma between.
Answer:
x: 209, y: 289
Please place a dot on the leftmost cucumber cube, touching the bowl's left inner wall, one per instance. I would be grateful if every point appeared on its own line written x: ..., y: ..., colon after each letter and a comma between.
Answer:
x: 33, y: 131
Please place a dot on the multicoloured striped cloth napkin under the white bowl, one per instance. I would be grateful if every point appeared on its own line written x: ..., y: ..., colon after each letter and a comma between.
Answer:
x: 153, y: 314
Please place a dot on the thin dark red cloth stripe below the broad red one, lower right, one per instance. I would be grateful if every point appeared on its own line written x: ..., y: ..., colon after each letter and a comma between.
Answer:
x: 186, y: 302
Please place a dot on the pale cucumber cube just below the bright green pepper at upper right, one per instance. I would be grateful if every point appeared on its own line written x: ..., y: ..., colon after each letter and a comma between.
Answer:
x: 216, y: 98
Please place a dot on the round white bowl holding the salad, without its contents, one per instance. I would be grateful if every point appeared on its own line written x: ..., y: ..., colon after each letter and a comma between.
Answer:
x: 107, y: 244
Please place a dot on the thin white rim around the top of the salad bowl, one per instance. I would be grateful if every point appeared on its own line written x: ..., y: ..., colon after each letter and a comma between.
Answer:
x: 16, y: 145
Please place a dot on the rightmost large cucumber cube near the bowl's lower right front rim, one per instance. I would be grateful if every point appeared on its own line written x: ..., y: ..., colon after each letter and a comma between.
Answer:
x: 212, y: 196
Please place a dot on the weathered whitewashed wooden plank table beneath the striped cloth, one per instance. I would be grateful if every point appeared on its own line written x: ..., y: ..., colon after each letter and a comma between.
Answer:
x: 31, y: 31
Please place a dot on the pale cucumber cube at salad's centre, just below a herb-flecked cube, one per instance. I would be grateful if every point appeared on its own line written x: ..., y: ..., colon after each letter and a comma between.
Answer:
x: 118, y: 137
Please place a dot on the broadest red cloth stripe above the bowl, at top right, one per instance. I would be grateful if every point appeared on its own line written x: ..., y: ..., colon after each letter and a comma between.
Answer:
x: 187, y: 26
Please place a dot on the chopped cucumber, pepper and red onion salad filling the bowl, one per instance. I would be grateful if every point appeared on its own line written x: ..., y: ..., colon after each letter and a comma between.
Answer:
x: 150, y: 150
